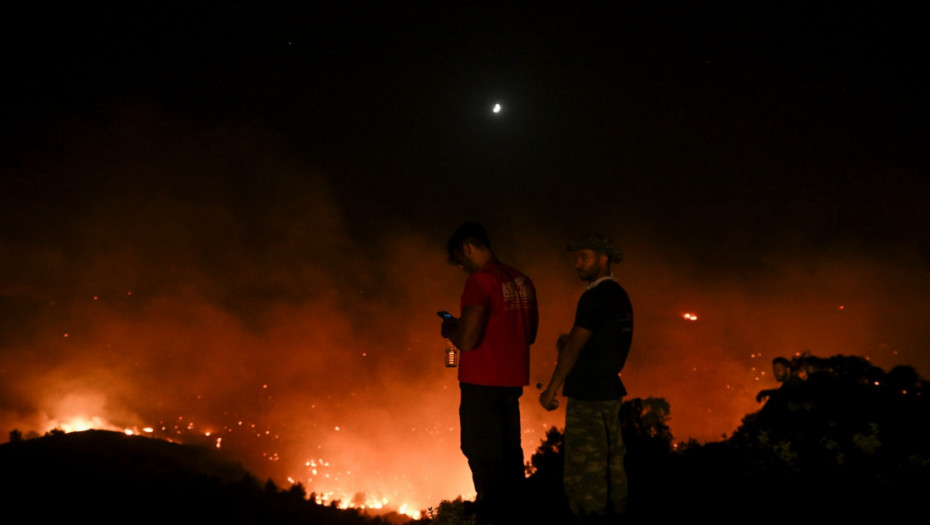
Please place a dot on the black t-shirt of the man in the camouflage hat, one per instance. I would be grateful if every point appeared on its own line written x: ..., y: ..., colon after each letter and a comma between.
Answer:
x: 606, y: 311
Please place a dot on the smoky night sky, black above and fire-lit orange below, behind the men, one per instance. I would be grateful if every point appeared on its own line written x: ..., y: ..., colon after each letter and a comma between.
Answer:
x: 236, y: 215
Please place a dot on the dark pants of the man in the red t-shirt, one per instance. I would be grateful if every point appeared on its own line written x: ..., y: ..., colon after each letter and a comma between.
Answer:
x: 490, y: 421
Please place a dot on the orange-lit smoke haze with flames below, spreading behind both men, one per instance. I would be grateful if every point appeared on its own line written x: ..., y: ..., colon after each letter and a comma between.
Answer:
x: 313, y: 352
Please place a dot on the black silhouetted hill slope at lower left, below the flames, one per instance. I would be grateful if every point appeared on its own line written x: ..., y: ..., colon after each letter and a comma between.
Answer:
x: 109, y: 477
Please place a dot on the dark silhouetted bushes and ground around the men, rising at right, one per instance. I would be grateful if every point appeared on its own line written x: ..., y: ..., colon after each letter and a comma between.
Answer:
x: 847, y: 444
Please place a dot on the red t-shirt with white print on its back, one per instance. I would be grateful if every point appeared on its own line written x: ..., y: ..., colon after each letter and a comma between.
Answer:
x: 502, y: 358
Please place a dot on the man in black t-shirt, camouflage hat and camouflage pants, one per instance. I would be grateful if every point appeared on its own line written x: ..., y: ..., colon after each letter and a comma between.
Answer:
x: 590, y: 359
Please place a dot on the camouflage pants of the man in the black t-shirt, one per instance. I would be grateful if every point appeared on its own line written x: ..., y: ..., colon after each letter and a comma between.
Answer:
x: 595, y: 479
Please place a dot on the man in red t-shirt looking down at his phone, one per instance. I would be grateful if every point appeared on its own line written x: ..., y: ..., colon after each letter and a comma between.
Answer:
x: 497, y: 325
